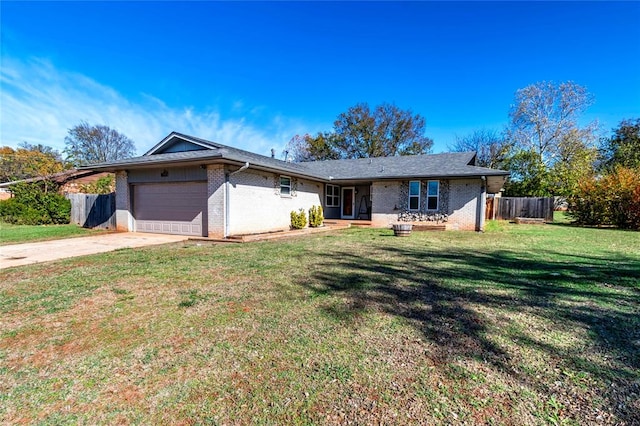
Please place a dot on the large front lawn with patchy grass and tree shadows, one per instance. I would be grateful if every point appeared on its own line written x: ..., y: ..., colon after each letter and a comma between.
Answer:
x: 519, y: 325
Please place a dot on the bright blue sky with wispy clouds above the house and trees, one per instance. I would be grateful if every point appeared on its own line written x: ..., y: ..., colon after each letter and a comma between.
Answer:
x: 252, y: 75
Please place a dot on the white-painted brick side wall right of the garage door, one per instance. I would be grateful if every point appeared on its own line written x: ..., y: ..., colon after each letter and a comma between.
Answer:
x: 256, y: 207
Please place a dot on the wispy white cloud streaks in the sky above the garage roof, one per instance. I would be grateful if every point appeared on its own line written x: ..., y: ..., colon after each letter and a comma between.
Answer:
x: 39, y: 103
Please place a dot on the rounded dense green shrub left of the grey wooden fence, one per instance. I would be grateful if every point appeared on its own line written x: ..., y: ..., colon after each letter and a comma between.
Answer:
x: 35, y: 204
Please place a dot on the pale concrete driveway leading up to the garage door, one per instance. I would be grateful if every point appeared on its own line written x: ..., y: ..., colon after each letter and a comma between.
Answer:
x: 45, y: 251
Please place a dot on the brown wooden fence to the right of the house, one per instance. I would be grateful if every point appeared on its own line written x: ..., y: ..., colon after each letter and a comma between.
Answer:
x: 508, y: 208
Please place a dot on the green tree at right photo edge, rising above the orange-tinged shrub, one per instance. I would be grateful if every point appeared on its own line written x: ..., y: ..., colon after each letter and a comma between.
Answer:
x: 623, y: 147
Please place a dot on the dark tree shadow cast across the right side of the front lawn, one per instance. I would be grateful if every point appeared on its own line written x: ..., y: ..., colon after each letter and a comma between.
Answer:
x: 435, y: 291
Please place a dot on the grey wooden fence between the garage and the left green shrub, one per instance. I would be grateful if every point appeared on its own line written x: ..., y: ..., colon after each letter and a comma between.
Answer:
x: 93, y: 210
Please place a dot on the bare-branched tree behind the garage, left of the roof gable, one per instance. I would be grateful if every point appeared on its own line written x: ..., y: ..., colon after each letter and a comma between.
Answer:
x: 86, y: 144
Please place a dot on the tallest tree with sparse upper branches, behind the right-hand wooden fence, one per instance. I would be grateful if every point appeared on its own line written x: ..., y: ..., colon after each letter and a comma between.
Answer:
x: 544, y: 132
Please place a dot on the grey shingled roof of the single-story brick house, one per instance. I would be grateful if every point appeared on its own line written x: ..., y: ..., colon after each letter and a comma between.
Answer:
x: 195, y: 150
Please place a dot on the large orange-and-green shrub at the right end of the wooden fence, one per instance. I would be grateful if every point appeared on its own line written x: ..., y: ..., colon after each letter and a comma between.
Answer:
x: 613, y: 199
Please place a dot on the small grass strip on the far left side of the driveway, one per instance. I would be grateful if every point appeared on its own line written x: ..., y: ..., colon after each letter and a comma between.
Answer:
x: 16, y: 234
